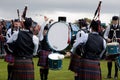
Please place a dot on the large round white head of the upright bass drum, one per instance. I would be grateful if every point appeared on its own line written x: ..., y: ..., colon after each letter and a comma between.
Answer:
x: 58, y: 36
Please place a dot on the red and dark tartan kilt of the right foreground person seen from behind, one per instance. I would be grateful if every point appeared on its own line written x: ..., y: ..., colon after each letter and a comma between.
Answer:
x: 89, y: 70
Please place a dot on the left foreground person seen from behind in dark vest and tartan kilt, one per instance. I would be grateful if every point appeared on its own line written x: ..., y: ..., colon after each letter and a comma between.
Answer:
x: 23, y: 44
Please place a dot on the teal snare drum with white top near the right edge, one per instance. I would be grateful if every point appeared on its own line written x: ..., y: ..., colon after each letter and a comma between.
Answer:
x: 113, y: 48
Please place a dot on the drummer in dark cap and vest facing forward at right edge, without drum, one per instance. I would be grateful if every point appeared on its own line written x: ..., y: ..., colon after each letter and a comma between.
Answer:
x: 108, y: 36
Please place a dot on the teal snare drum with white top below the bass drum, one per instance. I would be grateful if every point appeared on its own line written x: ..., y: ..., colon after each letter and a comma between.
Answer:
x: 55, y: 61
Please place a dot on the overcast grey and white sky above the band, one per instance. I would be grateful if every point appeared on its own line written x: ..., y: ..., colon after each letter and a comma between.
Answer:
x: 72, y: 9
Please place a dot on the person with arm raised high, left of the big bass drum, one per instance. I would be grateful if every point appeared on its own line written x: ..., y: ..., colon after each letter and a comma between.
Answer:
x: 44, y: 51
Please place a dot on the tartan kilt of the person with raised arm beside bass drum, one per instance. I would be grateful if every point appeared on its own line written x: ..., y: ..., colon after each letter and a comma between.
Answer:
x: 43, y: 58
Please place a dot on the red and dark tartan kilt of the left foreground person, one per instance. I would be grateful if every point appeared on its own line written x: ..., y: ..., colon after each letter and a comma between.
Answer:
x: 23, y: 69
